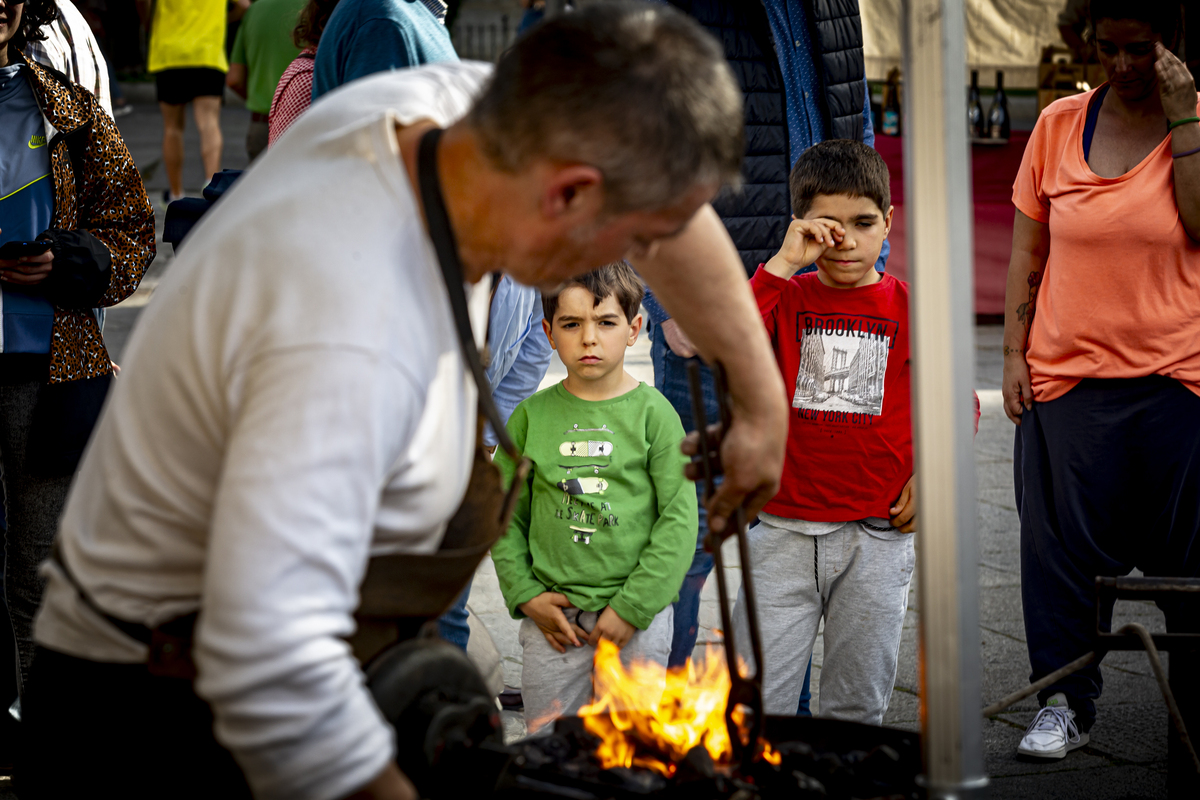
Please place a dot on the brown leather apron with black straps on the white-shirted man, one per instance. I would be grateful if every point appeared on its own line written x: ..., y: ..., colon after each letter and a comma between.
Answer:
x: 399, y: 593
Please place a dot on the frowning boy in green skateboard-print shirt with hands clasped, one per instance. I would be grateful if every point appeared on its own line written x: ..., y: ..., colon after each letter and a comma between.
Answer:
x: 605, y: 530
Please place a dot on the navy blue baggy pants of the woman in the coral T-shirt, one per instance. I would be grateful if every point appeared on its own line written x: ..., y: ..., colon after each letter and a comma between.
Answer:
x: 1108, y: 479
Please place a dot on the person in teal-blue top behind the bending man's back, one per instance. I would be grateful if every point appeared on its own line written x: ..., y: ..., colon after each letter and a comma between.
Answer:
x: 369, y: 37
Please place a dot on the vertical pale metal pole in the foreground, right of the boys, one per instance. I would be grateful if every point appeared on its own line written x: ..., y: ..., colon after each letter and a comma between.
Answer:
x: 938, y: 190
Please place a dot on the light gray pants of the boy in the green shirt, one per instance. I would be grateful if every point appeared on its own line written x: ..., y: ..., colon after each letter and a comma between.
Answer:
x: 557, y: 684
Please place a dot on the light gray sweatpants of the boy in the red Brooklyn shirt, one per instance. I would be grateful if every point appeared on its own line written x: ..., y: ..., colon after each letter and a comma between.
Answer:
x: 860, y: 584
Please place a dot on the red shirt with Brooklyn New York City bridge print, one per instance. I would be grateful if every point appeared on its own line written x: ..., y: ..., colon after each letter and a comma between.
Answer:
x: 844, y: 356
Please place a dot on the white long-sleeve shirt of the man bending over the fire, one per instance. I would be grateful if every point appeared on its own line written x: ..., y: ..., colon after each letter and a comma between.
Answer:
x: 293, y: 401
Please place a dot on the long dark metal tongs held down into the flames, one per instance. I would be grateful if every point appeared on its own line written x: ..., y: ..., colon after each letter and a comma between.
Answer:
x: 745, y: 690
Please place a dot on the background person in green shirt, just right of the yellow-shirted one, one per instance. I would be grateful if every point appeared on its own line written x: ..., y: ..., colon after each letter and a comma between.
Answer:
x: 262, y: 51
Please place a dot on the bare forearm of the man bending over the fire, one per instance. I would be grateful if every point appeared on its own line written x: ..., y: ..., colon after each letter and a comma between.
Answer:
x: 699, y: 279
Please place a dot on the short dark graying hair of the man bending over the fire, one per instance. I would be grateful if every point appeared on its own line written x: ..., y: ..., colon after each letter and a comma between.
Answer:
x: 638, y: 91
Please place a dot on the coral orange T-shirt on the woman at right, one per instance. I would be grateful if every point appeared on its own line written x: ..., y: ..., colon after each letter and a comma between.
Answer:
x: 1120, y: 297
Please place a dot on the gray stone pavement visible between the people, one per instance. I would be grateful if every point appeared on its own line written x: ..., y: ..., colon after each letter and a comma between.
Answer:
x: 1127, y: 755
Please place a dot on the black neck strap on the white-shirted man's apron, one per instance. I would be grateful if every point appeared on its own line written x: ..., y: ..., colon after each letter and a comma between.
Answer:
x: 442, y: 236
